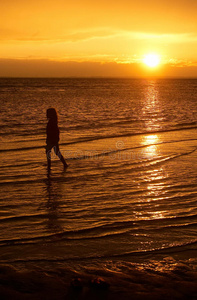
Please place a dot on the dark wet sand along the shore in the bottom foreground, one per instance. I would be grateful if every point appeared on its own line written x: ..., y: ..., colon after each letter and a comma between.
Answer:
x: 179, y: 283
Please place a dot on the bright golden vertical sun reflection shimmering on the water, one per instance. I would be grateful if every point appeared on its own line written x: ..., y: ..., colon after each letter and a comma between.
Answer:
x: 156, y: 175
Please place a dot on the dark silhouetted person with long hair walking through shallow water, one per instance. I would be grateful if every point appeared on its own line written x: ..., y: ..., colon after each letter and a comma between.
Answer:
x: 53, y: 137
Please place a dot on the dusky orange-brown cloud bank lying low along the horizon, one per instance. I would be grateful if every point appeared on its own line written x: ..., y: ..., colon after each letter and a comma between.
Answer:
x: 48, y: 68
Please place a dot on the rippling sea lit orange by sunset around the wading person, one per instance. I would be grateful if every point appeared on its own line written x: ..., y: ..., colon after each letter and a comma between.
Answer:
x: 128, y: 200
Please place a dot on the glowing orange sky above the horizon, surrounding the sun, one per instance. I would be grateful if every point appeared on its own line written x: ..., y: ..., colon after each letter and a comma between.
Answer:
x: 87, y: 38
